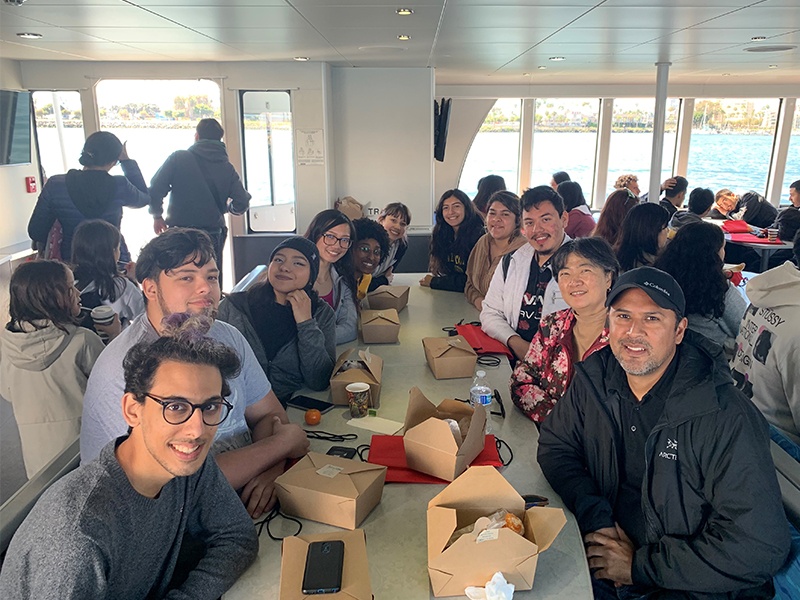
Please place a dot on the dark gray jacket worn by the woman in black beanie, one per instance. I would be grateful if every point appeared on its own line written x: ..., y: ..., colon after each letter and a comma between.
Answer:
x: 291, y: 369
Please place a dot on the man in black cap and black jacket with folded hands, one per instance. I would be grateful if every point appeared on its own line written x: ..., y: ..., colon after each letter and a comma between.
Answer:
x: 664, y: 463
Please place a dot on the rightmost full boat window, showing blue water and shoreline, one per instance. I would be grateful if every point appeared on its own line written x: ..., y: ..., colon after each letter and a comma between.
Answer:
x: 731, y: 143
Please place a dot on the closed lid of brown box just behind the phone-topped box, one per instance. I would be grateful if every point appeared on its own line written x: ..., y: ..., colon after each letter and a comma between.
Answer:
x: 354, y: 477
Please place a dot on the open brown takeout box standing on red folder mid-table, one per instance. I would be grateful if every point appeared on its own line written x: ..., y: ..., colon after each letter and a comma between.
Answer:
x: 429, y: 443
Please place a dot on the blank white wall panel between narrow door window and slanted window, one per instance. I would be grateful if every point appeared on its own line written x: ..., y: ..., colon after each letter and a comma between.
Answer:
x: 383, y: 121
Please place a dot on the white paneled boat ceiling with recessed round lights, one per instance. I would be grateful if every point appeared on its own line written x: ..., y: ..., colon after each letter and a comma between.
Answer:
x: 466, y: 41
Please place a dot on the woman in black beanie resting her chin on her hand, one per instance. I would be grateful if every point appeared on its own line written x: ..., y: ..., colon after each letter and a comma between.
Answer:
x: 282, y: 315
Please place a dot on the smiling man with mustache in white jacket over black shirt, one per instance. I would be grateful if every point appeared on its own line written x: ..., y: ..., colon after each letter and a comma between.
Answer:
x: 523, y: 288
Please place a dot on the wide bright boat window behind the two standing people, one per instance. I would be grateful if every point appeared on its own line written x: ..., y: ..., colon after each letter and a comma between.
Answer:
x: 155, y: 118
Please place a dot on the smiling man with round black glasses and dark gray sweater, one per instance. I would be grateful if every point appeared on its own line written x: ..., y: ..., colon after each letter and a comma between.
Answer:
x: 114, y: 527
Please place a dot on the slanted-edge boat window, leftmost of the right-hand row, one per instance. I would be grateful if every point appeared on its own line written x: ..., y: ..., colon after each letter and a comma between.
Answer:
x: 495, y: 149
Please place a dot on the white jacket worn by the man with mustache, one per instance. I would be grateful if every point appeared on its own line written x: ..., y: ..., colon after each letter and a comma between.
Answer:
x: 500, y: 314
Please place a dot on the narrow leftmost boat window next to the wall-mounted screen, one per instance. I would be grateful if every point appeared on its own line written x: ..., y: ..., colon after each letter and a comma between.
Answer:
x: 59, y: 130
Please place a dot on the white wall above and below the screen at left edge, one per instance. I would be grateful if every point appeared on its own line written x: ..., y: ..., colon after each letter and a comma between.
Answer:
x: 17, y: 204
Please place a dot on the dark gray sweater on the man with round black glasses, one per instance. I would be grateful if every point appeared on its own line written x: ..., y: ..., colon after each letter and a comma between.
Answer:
x: 92, y: 536
